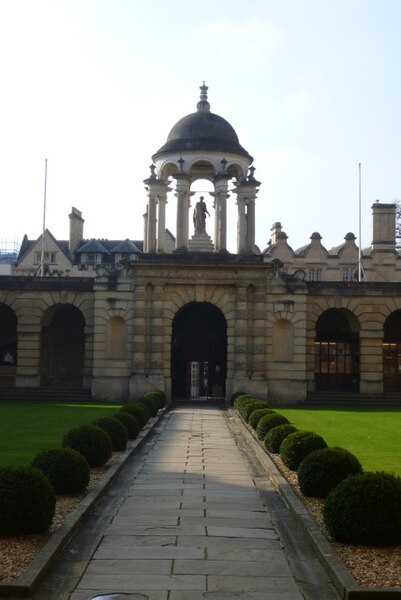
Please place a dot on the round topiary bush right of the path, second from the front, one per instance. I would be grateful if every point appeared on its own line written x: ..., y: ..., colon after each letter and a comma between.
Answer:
x: 323, y: 469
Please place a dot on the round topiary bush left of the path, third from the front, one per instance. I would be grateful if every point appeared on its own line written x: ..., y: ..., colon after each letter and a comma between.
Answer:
x: 92, y: 442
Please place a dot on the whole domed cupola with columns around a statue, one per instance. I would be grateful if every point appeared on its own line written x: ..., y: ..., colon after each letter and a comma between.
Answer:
x: 201, y: 145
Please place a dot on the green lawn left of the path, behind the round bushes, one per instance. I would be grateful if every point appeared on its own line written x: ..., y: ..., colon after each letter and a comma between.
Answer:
x: 26, y: 428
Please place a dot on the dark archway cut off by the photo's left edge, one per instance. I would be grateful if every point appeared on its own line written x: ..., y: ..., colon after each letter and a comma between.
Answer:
x: 8, y: 345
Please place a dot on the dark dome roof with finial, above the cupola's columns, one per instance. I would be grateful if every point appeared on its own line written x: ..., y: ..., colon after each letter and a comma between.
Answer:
x: 202, y: 131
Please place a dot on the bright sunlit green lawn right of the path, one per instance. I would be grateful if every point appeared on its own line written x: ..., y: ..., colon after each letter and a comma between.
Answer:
x: 373, y: 435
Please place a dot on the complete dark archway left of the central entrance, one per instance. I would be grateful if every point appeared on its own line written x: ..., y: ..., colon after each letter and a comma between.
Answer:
x: 62, y: 354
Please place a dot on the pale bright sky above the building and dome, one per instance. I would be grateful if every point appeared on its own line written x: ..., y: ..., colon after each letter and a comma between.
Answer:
x: 312, y: 88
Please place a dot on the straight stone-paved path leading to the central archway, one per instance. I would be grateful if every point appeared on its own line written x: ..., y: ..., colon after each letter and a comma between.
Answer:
x: 192, y: 525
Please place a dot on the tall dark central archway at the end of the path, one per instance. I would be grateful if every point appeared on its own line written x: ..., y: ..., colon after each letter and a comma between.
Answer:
x: 199, y: 352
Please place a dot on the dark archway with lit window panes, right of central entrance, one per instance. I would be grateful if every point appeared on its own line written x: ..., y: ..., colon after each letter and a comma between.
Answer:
x: 337, y: 351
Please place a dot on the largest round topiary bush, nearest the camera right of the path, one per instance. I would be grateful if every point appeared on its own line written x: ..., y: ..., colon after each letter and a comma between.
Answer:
x: 365, y: 509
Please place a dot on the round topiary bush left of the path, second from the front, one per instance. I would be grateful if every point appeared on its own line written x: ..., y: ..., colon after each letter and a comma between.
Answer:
x: 67, y: 470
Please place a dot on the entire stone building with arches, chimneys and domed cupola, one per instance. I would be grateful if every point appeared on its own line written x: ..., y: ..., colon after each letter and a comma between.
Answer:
x: 183, y: 314
